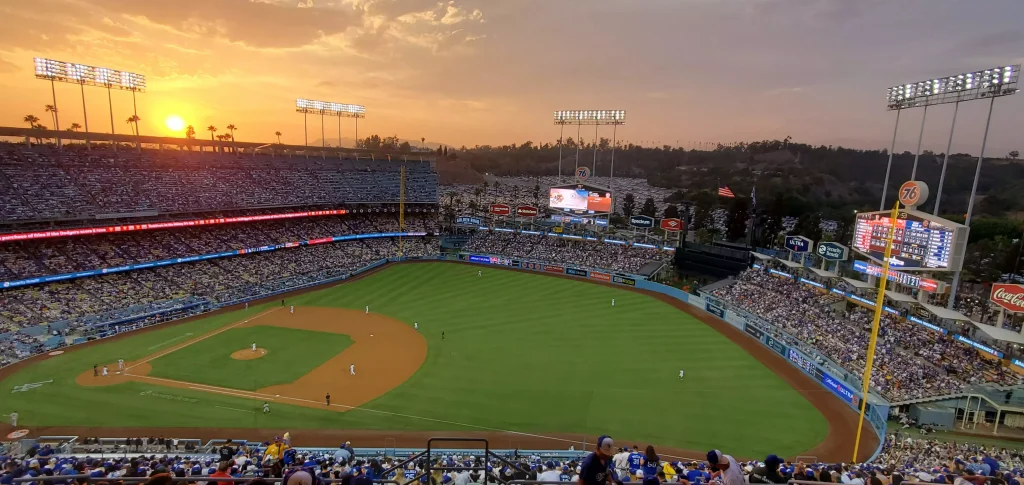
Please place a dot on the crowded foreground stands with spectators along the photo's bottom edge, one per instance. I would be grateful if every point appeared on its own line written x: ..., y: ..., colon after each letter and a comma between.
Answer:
x: 905, y: 459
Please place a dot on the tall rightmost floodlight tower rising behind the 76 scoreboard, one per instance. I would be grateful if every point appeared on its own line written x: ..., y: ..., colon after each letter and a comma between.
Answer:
x: 991, y: 84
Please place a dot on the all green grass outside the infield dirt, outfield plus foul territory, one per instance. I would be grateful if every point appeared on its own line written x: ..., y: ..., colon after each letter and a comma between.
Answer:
x: 524, y: 352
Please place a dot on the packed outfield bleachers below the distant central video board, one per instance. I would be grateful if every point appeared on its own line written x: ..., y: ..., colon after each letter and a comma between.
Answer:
x: 557, y: 250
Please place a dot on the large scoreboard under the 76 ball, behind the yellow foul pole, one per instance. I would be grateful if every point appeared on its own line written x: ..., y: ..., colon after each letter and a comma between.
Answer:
x: 922, y: 242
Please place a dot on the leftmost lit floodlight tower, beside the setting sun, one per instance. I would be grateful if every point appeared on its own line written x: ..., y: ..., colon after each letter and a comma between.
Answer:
x: 83, y: 75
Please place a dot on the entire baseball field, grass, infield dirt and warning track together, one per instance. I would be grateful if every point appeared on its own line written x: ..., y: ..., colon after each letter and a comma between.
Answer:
x: 525, y: 360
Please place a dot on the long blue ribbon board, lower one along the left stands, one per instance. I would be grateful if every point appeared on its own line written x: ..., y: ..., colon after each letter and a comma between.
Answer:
x: 190, y: 259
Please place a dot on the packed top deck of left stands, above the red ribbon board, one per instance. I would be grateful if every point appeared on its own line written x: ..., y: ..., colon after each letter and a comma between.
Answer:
x: 41, y: 184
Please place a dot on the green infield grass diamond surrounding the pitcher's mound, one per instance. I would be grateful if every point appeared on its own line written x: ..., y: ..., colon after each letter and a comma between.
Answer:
x: 291, y: 354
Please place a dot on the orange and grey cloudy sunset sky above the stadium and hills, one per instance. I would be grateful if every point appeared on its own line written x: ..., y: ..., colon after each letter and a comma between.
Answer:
x: 492, y: 72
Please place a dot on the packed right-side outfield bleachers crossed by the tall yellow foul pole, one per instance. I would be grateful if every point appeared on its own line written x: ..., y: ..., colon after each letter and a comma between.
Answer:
x: 911, y: 362
